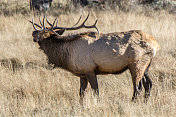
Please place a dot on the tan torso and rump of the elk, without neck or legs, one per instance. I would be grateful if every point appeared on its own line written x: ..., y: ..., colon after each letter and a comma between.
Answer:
x: 110, y: 52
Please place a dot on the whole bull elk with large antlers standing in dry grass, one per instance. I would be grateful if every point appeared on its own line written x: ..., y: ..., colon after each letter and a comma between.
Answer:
x: 89, y: 54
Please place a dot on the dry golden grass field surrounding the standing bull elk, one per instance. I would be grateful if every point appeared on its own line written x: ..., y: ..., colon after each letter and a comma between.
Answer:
x: 30, y: 87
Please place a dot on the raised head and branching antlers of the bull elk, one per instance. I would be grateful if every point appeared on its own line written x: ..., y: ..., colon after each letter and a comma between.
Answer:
x: 46, y: 32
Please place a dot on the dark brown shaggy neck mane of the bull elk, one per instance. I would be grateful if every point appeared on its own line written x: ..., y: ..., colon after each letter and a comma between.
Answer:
x: 56, y: 50
